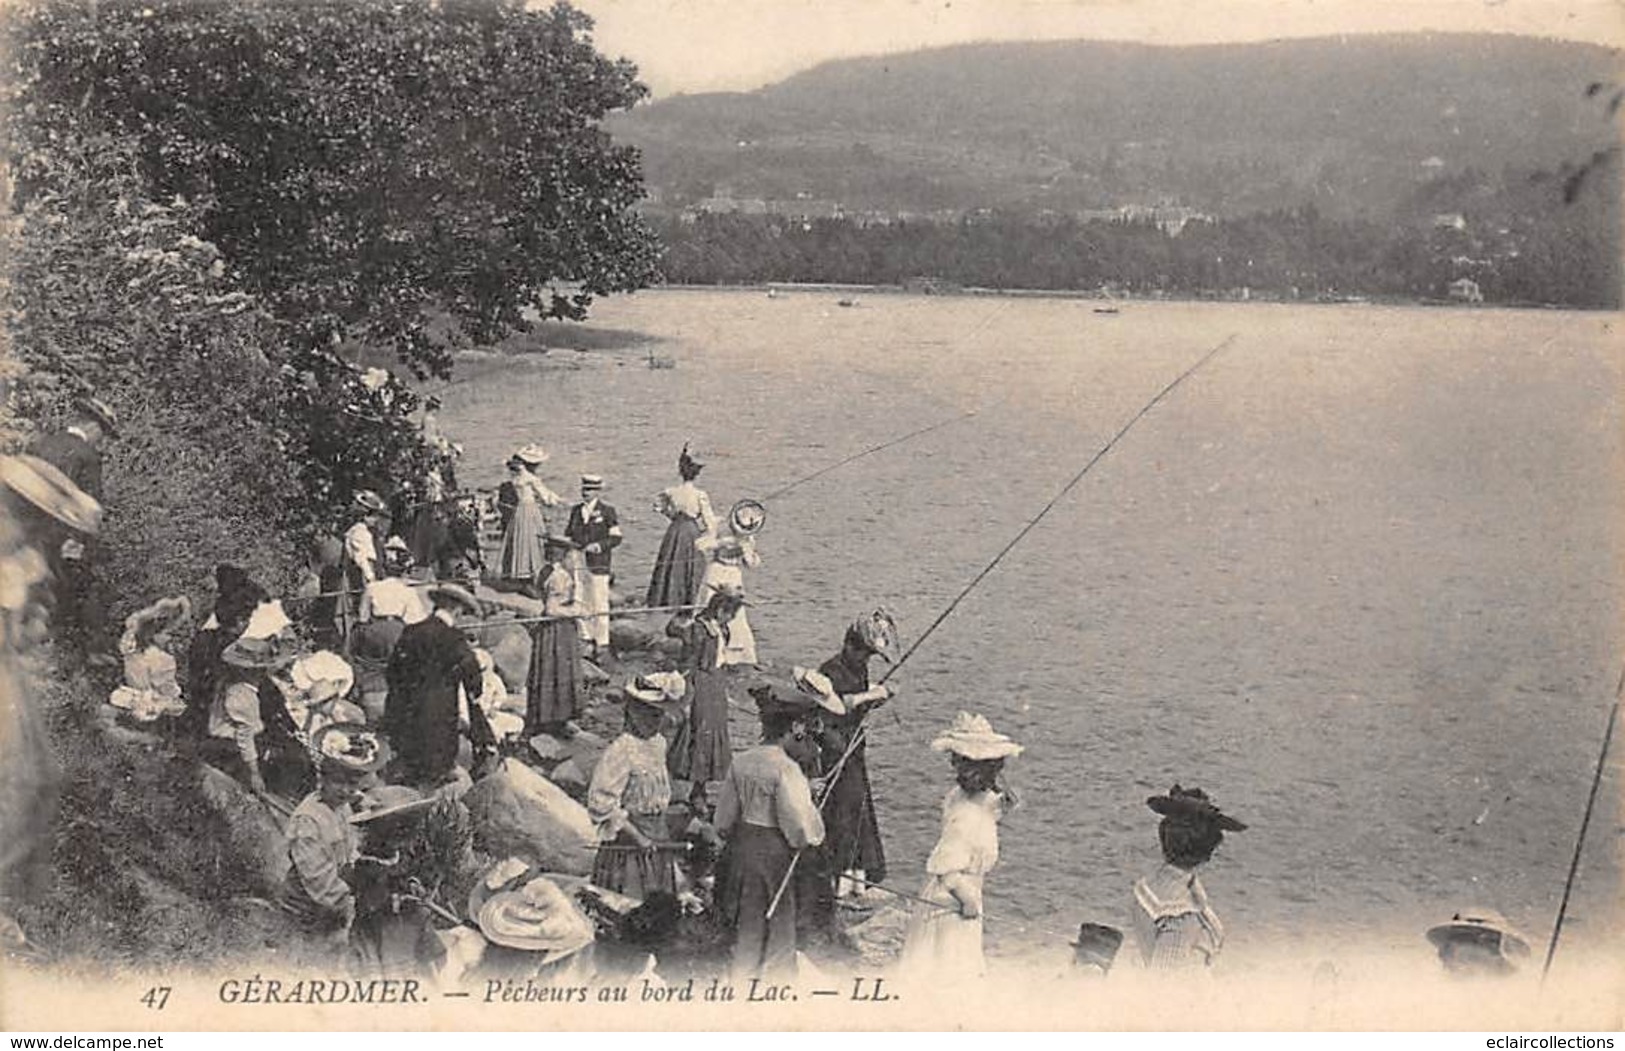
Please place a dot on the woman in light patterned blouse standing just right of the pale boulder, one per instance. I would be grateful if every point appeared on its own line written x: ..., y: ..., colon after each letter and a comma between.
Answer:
x: 631, y: 790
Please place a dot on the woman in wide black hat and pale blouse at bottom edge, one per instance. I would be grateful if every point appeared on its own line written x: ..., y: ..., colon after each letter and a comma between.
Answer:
x: 1179, y: 930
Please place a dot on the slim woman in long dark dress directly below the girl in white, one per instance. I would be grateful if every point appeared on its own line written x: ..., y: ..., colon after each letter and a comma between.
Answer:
x: 703, y: 751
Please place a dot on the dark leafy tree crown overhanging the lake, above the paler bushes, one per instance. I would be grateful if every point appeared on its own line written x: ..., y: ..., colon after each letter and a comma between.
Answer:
x: 370, y: 162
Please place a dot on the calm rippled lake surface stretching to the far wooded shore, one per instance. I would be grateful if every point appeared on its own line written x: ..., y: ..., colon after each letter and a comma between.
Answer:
x: 1359, y: 577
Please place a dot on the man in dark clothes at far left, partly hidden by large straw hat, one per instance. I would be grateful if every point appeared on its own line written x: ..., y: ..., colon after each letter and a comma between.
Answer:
x: 76, y: 451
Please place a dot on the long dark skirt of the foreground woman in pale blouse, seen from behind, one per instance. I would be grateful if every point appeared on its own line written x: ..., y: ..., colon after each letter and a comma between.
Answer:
x: 758, y: 862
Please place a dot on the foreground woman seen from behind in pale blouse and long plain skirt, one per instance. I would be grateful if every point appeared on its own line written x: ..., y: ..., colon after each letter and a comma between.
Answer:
x: 768, y: 815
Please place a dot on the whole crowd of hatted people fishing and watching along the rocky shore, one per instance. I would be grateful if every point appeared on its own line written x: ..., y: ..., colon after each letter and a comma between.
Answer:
x: 373, y: 698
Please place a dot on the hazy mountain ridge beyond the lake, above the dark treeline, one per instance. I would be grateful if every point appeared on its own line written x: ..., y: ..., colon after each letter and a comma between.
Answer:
x: 1354, y: 126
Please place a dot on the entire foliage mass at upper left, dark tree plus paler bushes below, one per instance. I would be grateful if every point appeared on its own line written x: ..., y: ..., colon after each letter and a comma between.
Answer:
x: 210, y: 202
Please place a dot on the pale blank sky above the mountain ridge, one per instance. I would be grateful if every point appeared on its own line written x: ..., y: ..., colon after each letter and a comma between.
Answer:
x: 687, y: 46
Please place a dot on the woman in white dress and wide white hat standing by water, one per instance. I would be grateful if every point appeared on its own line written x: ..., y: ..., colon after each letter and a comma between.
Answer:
x: 945, y: 938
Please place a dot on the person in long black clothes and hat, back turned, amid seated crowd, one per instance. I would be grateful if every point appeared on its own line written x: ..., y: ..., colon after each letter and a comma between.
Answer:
x: 422, y: 714
